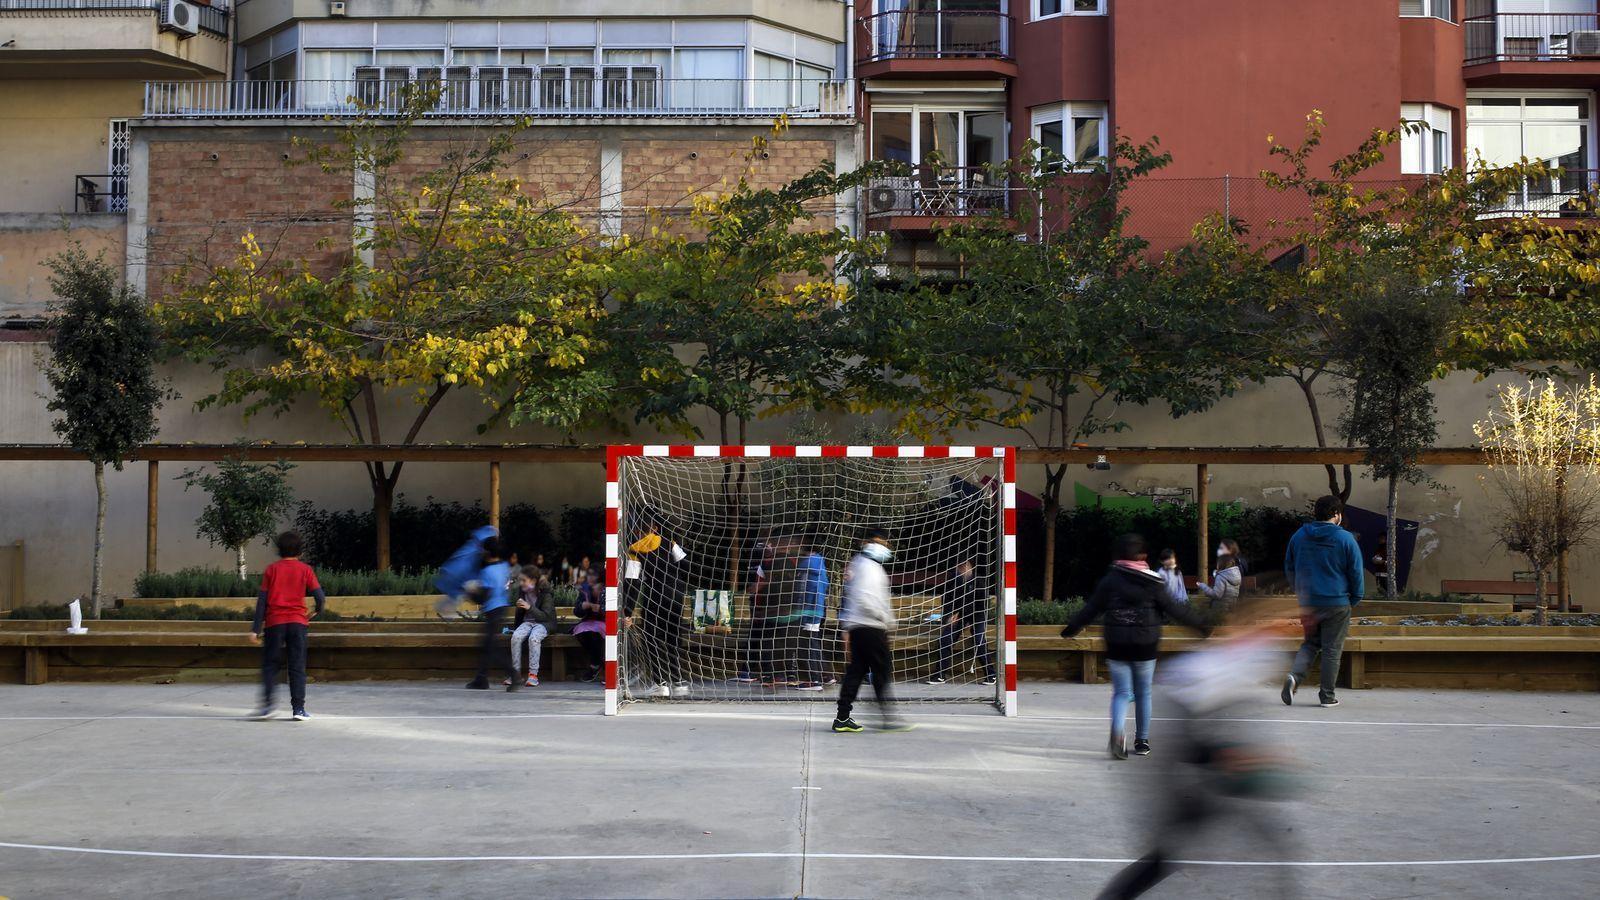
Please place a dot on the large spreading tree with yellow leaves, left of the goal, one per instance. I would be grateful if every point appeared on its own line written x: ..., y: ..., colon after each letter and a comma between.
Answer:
x: 460, y: 279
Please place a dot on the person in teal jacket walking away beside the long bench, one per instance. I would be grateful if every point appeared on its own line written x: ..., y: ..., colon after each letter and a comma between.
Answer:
x: 1324, y: 563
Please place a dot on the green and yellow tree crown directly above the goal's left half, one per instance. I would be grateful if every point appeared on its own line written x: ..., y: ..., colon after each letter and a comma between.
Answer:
x: 734, y: 311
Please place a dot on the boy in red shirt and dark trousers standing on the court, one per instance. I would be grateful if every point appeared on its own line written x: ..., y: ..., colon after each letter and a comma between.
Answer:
x: 282, y: 622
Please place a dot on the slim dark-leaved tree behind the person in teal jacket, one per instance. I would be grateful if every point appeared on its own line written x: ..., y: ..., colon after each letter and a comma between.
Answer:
x: 1393, y: 344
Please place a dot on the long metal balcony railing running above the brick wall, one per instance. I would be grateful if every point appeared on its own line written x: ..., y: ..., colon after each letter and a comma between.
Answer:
x: 486, y: 97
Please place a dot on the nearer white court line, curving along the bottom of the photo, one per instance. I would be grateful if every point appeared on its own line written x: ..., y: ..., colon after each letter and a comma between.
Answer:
x: 785, y: 856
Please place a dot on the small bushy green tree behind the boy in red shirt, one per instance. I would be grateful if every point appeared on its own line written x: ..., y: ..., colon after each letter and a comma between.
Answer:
x: 247, y: 504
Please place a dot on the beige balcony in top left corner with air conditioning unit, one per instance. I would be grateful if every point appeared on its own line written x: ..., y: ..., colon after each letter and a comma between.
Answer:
x: 113, y: 39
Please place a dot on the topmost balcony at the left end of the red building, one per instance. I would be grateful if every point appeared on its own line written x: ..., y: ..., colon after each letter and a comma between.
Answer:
x: 937, y: 42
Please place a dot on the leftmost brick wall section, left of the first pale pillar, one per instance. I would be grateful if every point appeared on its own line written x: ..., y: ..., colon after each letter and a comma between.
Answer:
x: 199, y: 207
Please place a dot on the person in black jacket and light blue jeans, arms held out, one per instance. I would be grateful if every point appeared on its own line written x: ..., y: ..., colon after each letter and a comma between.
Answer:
x: 1134, y: 601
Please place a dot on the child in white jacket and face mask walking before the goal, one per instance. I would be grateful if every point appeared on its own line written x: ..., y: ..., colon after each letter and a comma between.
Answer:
x: 868, y: 617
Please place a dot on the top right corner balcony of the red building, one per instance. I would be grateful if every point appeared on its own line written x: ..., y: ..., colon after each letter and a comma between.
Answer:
x: 1534, y: 50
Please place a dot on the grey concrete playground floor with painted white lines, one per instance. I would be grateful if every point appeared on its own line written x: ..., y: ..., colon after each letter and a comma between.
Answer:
x: 426, y: 790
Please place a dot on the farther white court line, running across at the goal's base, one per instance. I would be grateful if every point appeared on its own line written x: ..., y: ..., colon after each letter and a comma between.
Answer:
x: 798, y: 715
